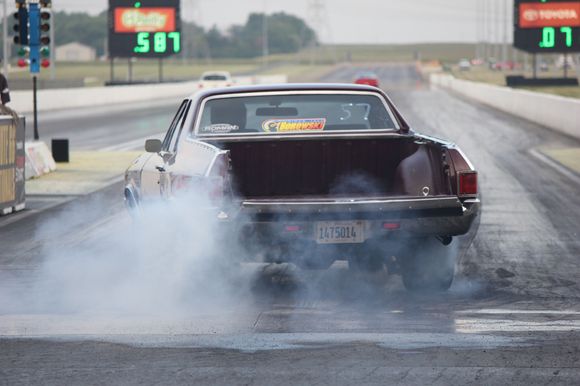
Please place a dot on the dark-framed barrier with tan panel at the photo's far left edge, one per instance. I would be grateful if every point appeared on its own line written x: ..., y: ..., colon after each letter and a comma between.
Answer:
x: 12, y: 164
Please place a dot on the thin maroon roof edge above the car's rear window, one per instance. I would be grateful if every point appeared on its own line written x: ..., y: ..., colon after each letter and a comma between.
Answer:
x: 283, y: 87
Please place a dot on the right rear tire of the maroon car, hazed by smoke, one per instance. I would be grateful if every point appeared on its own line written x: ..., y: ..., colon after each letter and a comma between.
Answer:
x: 429, y: 265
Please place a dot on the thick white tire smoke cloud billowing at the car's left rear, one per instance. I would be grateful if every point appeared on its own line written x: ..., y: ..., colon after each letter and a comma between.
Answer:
x: 170, y: 260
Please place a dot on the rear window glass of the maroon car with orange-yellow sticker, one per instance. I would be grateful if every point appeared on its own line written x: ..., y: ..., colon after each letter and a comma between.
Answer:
x: 272, y: 114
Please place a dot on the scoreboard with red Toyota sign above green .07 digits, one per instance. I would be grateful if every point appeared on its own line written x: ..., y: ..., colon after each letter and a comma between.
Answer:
x: 545, y: 26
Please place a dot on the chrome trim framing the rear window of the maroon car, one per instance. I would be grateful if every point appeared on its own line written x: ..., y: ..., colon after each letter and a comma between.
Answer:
x: 194, y: 132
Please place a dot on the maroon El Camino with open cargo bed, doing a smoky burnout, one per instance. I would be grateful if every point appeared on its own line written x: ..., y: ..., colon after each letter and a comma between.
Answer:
x: 314, y: 173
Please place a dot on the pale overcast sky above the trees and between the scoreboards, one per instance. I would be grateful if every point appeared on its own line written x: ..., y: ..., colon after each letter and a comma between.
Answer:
x: 345, y: 21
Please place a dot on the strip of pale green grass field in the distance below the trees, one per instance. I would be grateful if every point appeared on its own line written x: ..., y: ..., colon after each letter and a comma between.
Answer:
x: 298, y: 66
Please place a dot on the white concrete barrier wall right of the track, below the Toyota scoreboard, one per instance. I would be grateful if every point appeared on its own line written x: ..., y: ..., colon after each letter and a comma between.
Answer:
x: 557, y: 113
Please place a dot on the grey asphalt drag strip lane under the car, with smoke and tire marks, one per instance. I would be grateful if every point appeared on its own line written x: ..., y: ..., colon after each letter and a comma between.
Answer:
x: 87, y: 299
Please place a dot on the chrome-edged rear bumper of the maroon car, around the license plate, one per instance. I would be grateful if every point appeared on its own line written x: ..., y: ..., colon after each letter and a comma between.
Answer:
x: 439, y: 216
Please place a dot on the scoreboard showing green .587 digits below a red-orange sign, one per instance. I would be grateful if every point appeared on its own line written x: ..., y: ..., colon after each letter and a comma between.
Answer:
x: 144, y: 28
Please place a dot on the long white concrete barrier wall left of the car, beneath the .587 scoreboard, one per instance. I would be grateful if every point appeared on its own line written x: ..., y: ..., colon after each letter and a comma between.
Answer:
x: 59, y: 99
